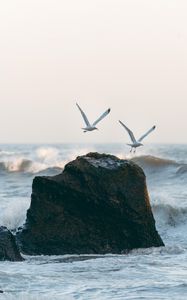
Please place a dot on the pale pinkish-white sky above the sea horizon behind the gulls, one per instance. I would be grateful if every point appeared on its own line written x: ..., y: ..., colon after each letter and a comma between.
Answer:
x: 130, y: 55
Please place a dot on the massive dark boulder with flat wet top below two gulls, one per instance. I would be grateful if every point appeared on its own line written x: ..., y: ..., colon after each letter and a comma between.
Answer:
x: 99, y: 204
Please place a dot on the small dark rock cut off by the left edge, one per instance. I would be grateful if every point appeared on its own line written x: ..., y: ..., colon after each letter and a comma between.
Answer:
x: 8, y: 247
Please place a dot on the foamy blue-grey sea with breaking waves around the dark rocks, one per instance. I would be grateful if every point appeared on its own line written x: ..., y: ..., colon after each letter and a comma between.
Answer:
x: 154, y: 273
